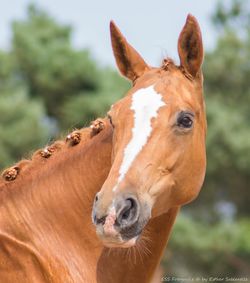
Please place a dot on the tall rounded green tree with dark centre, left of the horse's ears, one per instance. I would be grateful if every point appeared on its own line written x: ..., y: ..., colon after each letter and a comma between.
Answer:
x: 71, y: 84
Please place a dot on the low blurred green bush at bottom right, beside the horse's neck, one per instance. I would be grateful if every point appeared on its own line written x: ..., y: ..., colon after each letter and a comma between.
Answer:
x: 218, y: 250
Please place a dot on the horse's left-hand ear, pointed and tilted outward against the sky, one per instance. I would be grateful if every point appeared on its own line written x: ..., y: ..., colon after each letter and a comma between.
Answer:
x: 128, y: 60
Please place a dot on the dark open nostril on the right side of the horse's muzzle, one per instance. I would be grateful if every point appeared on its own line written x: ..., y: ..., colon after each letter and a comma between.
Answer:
x: 128, y: 212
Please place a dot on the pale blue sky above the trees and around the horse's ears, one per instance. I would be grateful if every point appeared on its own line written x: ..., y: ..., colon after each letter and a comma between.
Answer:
x: 152, y: 27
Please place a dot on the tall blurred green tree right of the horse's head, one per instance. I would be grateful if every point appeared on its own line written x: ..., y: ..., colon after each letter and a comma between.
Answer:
x: 227, y: 92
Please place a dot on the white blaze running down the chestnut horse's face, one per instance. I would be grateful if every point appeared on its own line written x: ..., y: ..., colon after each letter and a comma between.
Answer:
x: 145, y: 104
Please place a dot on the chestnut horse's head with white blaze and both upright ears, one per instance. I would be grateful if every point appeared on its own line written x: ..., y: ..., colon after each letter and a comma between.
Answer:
x: 158, y: 151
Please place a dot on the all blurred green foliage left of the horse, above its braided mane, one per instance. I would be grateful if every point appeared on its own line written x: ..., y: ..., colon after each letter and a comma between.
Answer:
x: 47, y: 86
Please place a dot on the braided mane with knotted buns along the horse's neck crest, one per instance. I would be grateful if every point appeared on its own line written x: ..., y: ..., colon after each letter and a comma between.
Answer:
x: 26, y: 169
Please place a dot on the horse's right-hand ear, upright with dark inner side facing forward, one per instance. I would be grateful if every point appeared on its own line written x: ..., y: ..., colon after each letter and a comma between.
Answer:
x: 190, y: 46
